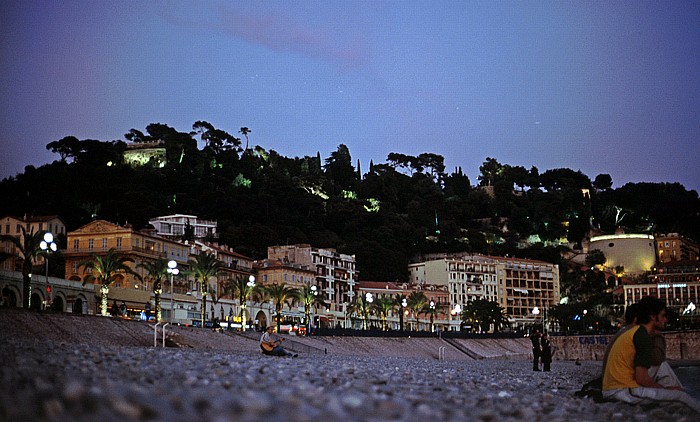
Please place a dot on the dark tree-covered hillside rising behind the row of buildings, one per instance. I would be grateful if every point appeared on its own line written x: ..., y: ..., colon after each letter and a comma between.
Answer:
x: 385, y: 216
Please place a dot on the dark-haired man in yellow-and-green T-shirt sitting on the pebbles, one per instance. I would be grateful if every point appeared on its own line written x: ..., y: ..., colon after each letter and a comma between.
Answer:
x: 626, y: 372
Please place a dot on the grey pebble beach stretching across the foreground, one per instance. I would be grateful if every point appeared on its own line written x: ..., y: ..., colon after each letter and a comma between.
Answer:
x: 67, y: 381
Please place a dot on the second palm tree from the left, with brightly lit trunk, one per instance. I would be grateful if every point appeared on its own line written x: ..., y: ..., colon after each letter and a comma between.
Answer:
x: 105, y: 270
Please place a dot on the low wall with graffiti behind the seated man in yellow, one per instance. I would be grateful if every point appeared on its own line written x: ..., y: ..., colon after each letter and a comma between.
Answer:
x: 679, y: 346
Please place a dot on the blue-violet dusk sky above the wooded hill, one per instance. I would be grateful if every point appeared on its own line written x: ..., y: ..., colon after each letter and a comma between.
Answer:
x: 597, y: 86
